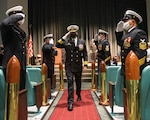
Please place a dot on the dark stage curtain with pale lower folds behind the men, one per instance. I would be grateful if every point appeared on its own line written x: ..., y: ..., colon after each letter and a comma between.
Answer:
x: 53, y: 16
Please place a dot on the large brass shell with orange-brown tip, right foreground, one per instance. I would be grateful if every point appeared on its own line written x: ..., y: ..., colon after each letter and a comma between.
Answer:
x: 132, y: 71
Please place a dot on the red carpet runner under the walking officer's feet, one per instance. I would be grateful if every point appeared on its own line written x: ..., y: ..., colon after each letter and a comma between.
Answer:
x: 82, y: 110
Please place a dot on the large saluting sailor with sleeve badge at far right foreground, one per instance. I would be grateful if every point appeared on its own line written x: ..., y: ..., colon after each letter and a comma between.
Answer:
x: 135, y: 39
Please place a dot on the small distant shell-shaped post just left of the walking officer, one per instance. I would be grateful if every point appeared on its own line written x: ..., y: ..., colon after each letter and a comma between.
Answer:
x: 61, y: 76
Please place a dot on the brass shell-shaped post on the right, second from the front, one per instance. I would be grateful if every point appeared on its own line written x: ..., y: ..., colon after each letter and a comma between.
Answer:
x: 103, y: 99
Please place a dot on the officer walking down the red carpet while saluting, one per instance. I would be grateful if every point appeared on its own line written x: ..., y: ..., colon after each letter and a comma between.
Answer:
x: 75, y: 52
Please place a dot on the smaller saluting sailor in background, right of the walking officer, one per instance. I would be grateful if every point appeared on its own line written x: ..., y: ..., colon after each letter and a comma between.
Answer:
x: 103, y: 47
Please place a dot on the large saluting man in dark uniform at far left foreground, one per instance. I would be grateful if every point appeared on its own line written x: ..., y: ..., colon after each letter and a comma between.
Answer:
x: 14, y: 40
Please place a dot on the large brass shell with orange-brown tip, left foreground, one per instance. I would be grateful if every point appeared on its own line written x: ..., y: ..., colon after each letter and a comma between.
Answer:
x: 12, y: 89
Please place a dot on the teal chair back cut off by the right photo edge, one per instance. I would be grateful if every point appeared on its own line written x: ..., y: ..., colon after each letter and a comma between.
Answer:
x: 145, y: 93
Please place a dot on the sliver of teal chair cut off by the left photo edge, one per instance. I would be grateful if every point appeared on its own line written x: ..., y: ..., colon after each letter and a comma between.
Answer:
x: 2, y: 94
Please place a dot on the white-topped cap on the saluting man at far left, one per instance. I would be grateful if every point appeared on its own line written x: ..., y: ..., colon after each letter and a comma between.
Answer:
x: 14, y: 10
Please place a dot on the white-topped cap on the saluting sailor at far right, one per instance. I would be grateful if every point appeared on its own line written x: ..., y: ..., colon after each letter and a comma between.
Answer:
x: 129, y: 14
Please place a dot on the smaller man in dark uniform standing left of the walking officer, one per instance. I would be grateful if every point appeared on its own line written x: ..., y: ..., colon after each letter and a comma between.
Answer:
x: 49, y: 51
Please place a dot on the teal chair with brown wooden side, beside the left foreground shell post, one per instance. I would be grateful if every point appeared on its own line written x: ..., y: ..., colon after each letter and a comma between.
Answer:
x: 34, y: 90
